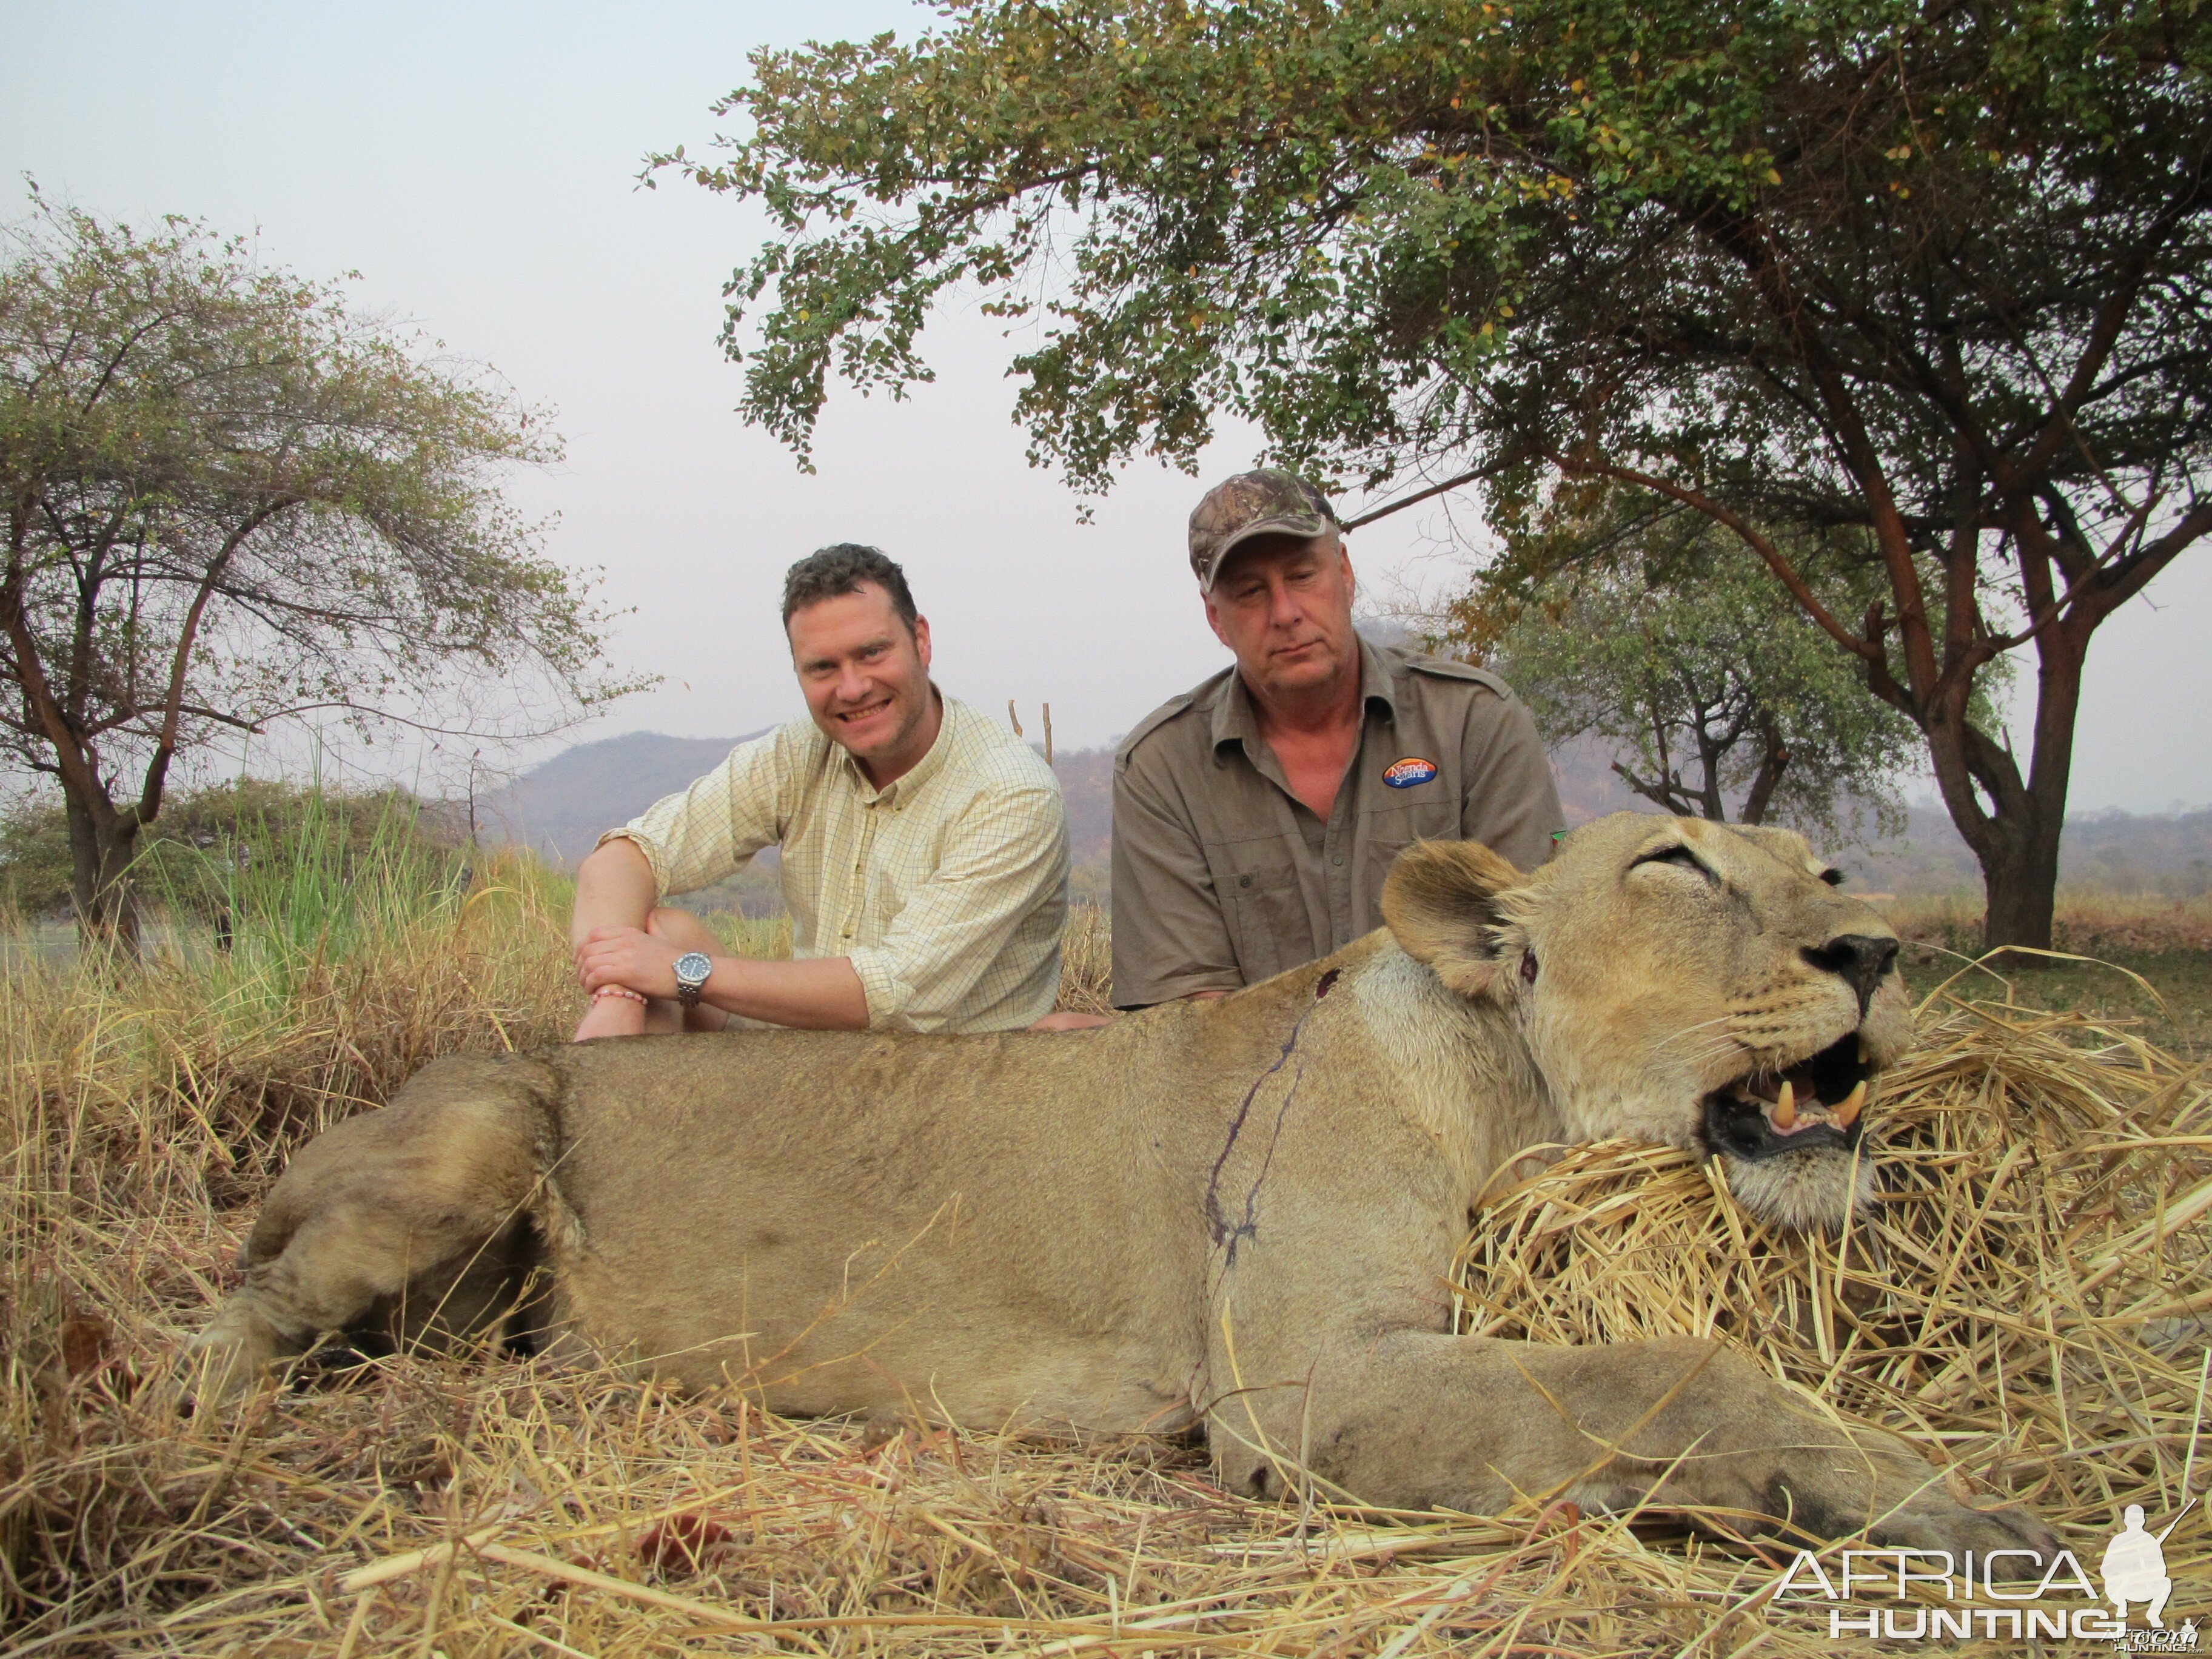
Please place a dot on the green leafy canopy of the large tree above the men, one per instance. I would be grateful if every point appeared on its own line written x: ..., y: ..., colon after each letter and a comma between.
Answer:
x: 1370, y: 227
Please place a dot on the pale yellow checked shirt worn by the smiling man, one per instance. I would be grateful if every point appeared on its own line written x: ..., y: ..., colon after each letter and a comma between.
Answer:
x: 948, y: 890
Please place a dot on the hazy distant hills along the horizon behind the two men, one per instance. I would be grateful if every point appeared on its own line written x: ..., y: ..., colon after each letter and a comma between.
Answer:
x: 563, y: 806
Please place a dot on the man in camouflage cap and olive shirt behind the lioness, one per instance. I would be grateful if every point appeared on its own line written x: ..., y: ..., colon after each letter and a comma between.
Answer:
x: 1258, y: 815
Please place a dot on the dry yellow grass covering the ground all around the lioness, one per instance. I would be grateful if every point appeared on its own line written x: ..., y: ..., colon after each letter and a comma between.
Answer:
x: 2036, y: 1322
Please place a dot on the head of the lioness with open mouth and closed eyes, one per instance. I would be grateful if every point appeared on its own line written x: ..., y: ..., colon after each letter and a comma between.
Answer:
x: 1680, y: 981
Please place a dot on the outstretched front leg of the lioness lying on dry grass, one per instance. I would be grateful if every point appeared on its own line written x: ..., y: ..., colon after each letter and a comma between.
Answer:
x: 1472, y: 1423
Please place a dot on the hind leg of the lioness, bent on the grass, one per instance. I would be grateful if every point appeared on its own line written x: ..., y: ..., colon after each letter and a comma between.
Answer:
x: 410, y: 1218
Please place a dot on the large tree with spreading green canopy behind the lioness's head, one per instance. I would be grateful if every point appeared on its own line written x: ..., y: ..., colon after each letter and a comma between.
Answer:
x: 1917, y: 273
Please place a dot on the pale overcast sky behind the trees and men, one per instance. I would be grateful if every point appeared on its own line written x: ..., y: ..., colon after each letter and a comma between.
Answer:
x: 477, y: 165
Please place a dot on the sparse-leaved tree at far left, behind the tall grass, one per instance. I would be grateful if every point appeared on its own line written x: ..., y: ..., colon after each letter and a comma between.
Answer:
x: 231, y: 501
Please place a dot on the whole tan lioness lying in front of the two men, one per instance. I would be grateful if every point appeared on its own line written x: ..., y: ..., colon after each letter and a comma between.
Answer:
x: 1233, y: 1213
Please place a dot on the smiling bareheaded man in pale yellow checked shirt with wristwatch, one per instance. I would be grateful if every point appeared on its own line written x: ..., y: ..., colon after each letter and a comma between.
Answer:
x: 926, y: 851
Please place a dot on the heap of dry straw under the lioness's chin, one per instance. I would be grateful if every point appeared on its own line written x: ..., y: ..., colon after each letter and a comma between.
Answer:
x: 2034, y: 1293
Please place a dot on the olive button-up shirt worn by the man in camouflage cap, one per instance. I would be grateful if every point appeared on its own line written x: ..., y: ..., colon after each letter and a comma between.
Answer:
x: 1222, y: 877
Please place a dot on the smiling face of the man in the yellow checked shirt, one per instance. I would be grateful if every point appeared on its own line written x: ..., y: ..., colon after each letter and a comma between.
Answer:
x: 866, y: 676
